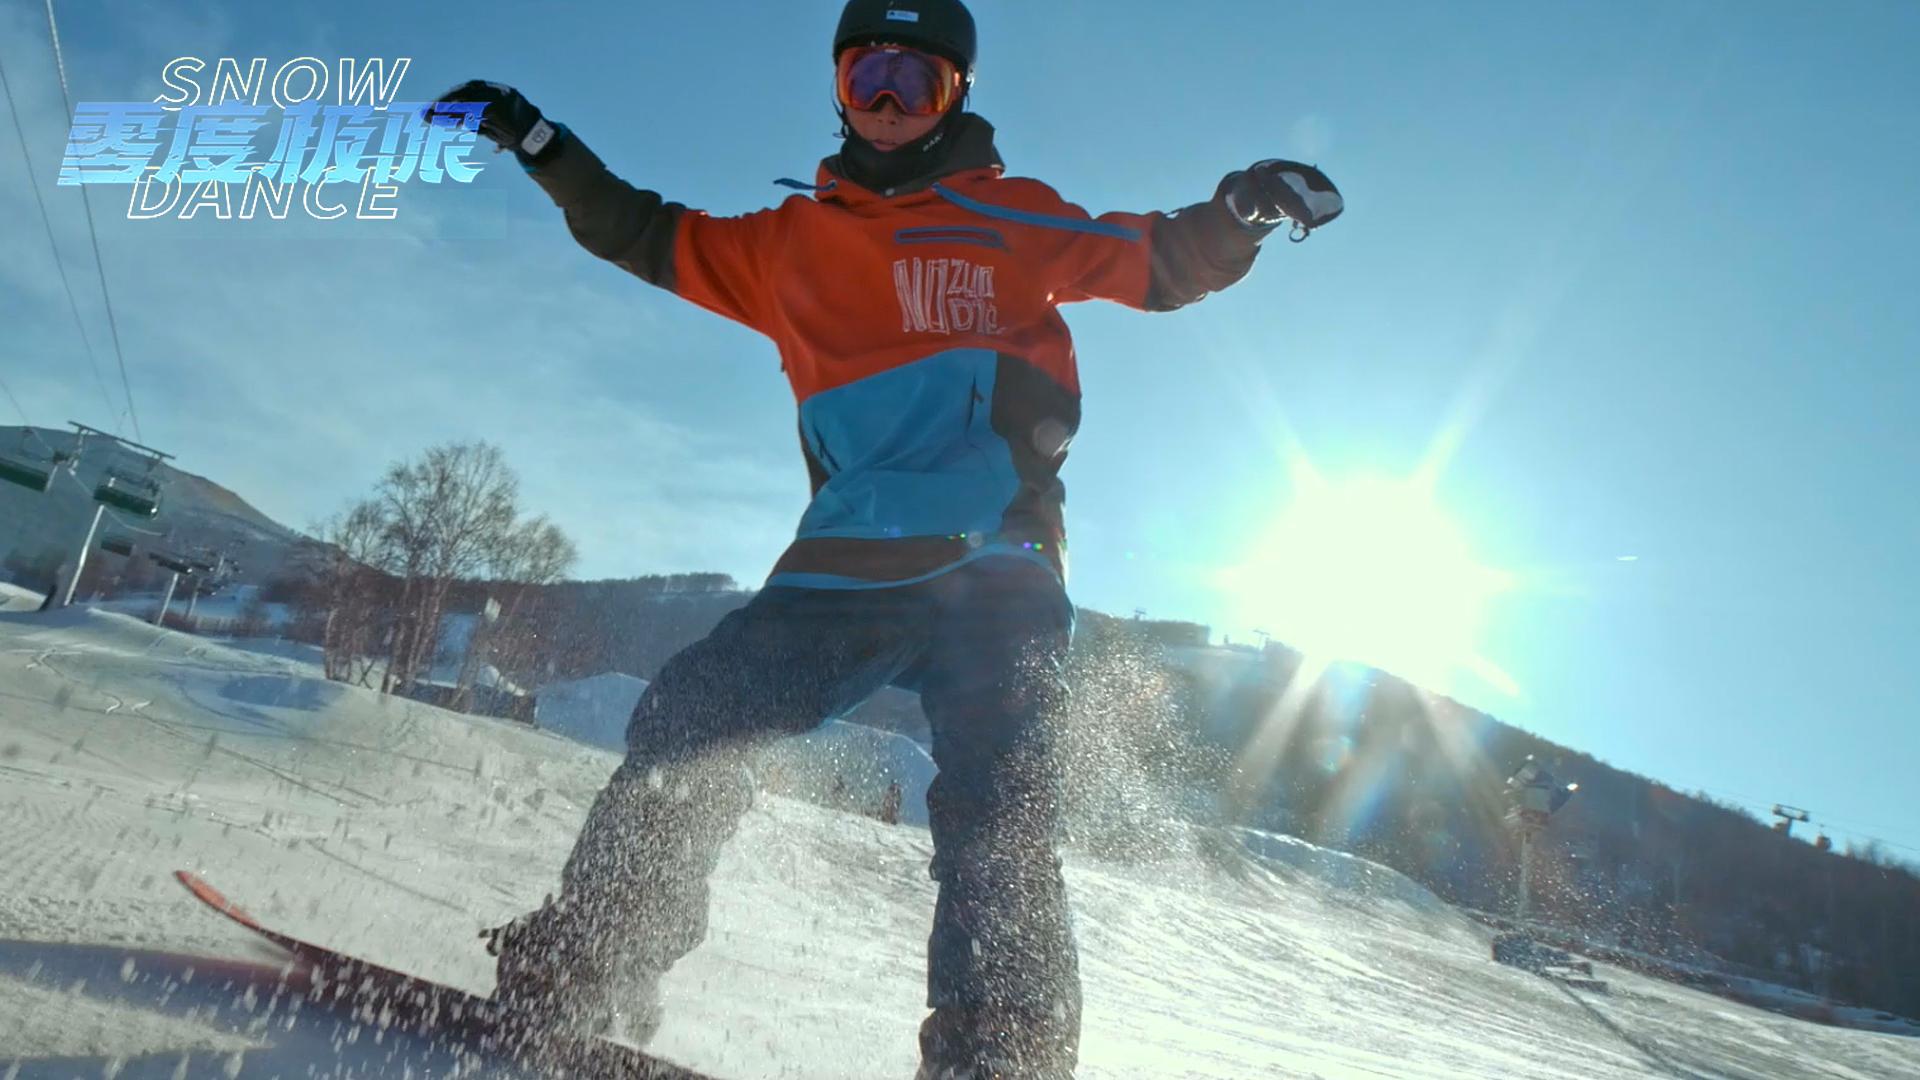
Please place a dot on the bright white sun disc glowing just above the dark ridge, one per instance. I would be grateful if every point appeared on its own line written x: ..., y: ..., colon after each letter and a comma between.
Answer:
x: 1372, y: 570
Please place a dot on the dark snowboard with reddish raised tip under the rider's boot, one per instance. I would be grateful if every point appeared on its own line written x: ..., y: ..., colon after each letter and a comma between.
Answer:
x: 443, y: 1016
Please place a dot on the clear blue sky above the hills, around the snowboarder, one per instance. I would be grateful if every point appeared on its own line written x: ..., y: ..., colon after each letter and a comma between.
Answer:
x: 1643, y: 268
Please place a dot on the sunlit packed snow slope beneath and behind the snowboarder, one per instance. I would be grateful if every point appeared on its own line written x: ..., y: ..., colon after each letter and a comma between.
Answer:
x: 398, y: 831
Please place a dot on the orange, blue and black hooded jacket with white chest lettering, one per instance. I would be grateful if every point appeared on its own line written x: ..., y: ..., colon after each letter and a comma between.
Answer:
x: 921, y: 330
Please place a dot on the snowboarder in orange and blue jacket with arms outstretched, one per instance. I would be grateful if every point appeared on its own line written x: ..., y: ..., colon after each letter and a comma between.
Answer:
x: 913, y: 297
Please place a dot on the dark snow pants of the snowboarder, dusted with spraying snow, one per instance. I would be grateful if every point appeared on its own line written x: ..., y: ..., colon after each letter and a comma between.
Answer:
x: 984, y: 645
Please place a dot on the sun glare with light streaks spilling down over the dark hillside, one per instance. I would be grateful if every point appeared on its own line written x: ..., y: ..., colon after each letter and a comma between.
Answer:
x: 1366, y: 570
